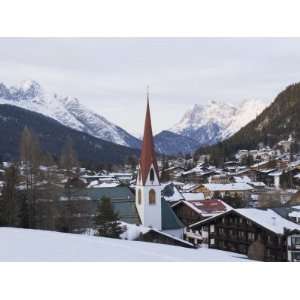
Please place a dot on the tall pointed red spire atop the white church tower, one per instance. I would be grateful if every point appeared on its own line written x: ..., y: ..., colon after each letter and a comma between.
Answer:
x: 148, y: 150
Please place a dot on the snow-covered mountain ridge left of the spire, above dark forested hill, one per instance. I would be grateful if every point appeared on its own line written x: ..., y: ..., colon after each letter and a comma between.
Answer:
x: 66, y: 110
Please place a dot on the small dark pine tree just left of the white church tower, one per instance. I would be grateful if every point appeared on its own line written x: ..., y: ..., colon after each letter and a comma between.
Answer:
x: 107, y: 221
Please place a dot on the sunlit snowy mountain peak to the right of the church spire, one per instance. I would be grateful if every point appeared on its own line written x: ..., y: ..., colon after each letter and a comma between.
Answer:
x: 217, y: 121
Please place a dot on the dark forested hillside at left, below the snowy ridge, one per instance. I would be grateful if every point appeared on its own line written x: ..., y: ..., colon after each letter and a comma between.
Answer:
x: 52, y: 136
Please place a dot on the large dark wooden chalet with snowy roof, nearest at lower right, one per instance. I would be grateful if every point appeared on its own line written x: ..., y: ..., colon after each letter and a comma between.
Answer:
x: 259, y: 233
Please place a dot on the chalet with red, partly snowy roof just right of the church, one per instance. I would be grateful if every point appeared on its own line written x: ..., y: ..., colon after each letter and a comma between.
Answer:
x: 190, y: 212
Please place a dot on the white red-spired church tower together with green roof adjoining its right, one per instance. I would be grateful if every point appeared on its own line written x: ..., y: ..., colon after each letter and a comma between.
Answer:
x: 153, y: 210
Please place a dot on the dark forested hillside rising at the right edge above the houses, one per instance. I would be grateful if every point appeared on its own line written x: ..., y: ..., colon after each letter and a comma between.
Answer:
x: 275, y: 123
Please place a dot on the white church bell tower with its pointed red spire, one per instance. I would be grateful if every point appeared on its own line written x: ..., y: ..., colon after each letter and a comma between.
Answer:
x: 148, y: 188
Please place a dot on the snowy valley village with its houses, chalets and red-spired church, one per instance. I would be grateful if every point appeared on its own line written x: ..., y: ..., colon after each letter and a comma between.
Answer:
x: 250, y: 206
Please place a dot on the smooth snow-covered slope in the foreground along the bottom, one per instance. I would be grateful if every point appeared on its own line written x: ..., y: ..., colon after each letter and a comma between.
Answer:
x: 38, y: 245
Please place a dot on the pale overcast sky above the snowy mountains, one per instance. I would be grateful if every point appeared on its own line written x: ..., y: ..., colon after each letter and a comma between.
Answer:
x: 110, y: 75
